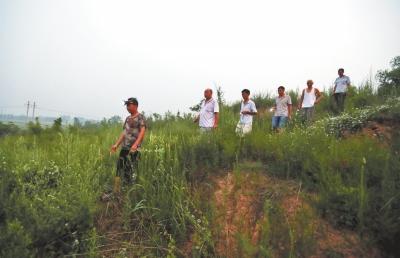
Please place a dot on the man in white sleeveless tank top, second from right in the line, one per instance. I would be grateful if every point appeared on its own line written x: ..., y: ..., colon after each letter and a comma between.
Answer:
x: 309, y: 98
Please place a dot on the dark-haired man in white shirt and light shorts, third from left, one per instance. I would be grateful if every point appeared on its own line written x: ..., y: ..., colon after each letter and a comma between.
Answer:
x: 247, y: 111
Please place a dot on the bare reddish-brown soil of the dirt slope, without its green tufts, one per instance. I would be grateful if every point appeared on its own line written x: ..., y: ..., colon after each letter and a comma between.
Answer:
x: 239, y: 212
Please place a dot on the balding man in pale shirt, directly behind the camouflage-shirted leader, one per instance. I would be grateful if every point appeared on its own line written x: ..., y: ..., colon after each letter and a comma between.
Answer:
x: 208, y: 115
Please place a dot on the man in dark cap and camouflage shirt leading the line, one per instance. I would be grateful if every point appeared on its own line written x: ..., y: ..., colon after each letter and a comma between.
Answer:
x: 130, y: 140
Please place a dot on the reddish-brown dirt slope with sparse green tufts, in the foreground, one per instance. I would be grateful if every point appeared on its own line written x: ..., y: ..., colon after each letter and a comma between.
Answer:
x: 256, y: 215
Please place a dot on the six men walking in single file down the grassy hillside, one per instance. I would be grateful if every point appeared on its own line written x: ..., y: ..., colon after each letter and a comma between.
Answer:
x: 208, y: 118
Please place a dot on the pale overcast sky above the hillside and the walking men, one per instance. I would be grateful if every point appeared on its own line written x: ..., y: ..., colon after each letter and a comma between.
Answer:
x: 84, y: 57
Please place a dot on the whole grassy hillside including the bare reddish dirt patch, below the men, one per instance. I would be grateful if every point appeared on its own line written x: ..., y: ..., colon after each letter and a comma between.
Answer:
x: 328, y: 190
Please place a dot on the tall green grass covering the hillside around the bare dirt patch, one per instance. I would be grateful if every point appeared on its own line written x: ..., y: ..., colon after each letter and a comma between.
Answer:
x: 51, y: 181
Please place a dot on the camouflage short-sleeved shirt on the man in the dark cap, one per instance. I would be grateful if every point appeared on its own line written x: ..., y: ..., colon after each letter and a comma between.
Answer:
x: 132, y: 127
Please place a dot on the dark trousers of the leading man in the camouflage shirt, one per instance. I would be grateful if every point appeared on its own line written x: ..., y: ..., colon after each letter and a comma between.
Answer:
x: 127, y: 166
